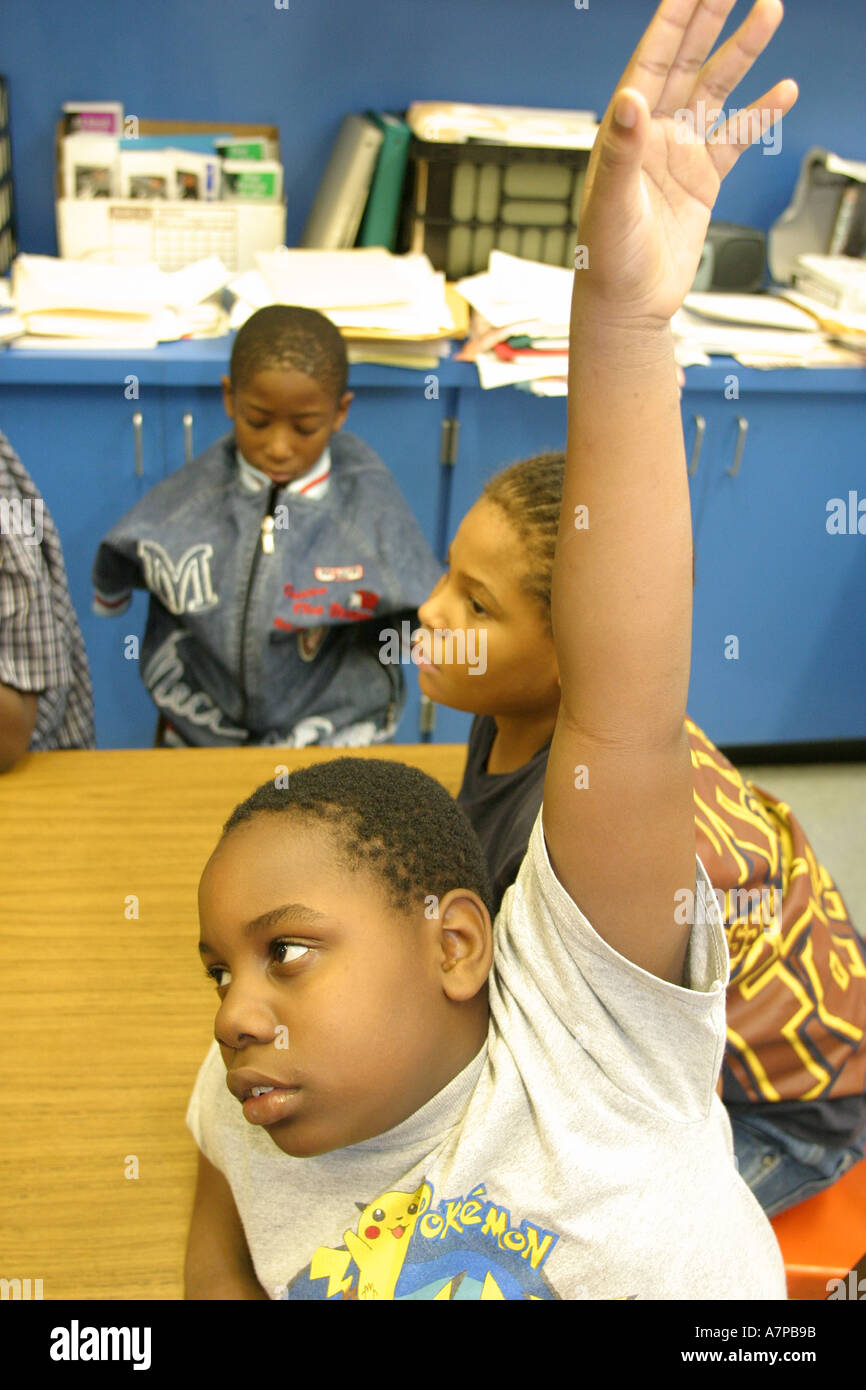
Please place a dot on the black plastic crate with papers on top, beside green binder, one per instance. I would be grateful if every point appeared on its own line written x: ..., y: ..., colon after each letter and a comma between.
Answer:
x: 465, y: 201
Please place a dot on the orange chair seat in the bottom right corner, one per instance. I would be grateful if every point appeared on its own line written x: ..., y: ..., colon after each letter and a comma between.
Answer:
x: 824, y: 1238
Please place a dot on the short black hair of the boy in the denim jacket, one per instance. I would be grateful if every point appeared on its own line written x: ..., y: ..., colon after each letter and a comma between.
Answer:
x: 288, y: 336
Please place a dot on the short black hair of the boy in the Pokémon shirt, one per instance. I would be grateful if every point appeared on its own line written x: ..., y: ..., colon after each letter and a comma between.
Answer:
x: 387, y: 818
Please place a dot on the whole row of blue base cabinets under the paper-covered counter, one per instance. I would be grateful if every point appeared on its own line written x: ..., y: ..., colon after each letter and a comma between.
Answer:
x: 781, y: 603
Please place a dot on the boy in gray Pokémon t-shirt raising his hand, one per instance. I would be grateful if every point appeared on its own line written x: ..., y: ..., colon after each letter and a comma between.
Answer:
x: 415, y: 1124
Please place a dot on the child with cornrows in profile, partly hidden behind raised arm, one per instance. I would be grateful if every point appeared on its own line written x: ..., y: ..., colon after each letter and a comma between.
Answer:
x: 794, y: 1078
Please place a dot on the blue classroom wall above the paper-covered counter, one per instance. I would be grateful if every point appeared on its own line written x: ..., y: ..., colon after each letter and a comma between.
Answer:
x: 305, y: 66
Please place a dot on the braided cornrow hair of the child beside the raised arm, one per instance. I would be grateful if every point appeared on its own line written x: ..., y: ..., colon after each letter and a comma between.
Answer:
x: 530, y: 494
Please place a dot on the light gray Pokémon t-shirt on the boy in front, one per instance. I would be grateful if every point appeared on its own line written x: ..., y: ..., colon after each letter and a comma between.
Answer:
x: 582, y: 1154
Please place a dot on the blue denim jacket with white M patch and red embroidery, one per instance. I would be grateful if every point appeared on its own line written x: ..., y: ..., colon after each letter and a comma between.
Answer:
x: 266, y: 605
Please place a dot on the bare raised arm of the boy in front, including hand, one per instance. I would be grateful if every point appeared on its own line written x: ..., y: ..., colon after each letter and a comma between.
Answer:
x: 618, y: 812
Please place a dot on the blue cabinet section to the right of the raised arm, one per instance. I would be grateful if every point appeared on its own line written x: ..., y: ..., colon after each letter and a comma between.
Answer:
x: 779, y: 644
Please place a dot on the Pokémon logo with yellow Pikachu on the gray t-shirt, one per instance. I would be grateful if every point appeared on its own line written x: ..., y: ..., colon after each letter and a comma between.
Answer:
x: 402, y: 1248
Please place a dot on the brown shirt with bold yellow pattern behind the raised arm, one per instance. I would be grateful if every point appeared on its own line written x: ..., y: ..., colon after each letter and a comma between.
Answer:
x: 797, y: 996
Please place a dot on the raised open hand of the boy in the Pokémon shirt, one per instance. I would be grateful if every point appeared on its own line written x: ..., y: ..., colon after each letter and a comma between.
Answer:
x: 653, y: 181
